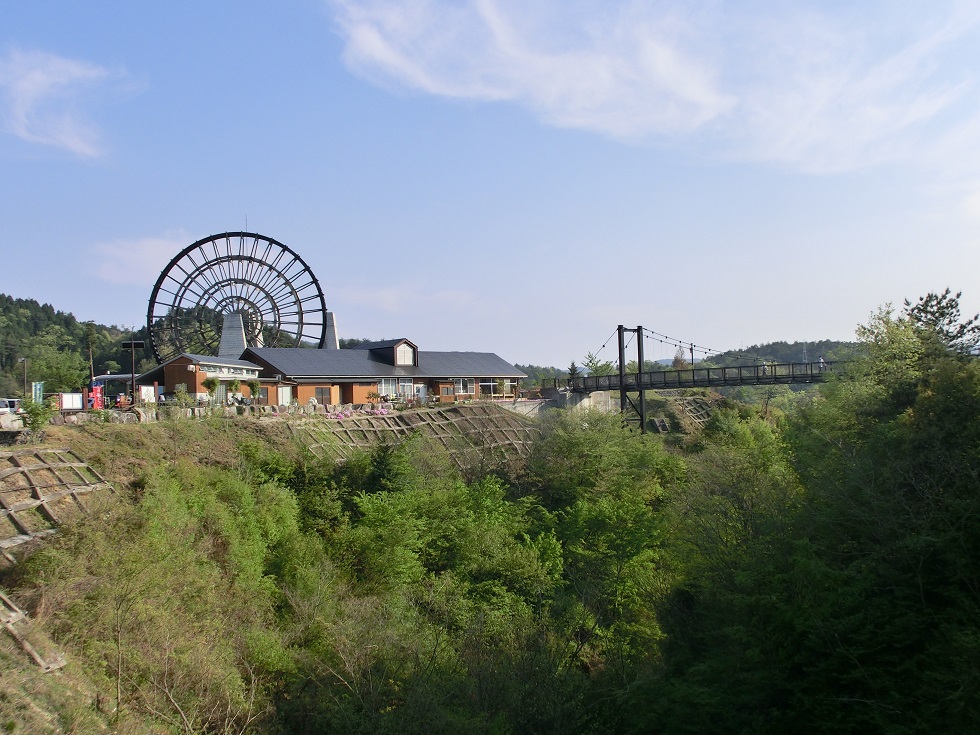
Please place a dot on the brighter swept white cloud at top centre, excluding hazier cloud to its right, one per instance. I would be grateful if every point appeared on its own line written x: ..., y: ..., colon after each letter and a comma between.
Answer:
x: 624, y: 74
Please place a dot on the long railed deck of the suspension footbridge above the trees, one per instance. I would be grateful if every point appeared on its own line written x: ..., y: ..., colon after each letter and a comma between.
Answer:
x: 715, y: 377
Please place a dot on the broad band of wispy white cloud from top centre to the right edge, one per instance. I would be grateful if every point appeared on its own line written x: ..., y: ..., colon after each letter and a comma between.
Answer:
x: 815, y: 87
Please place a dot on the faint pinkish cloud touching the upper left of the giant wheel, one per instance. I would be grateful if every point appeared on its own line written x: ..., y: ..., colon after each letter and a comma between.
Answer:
x: 137, y: 261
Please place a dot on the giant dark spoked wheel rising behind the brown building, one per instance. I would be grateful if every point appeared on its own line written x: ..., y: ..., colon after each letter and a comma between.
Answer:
x: 267, y: 282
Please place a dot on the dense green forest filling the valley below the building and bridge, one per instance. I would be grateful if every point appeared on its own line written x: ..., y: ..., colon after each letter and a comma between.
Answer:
x: 807, y: 570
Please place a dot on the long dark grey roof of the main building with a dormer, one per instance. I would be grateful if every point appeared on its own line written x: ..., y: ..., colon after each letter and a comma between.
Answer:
x: 297, y: 362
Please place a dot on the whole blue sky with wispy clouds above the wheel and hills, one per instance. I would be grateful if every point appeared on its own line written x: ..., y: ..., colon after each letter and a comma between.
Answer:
x: 508, y: 176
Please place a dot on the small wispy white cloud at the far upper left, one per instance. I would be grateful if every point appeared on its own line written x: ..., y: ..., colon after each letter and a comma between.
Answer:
x: 40, y: 95
